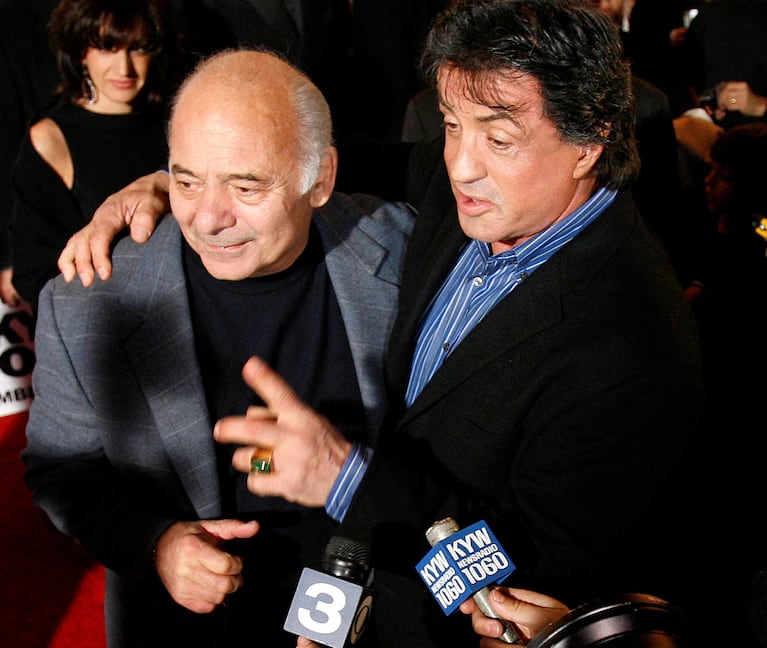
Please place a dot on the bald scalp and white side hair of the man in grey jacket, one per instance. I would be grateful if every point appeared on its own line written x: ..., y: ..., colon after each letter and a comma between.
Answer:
x: 259, y: 89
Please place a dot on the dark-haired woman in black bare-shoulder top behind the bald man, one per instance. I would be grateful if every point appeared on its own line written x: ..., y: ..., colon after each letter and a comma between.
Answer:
x: 104, y: 127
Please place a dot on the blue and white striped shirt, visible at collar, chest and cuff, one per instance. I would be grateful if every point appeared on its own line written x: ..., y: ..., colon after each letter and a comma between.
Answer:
x: 477, y: 282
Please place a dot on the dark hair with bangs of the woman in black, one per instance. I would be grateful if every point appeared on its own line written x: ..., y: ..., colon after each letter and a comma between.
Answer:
x: 77, y: 25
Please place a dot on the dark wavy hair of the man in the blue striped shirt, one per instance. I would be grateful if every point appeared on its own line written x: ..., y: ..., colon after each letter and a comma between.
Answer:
x: 570, y: 47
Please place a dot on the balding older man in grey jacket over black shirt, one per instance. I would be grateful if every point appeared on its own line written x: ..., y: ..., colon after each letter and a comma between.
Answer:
x: 262, y: 257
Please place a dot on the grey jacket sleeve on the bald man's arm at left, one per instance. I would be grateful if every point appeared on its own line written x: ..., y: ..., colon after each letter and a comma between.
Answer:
x: 67, y: 467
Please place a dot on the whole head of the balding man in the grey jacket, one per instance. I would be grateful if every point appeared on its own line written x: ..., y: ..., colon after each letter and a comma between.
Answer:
x: 250, y: 159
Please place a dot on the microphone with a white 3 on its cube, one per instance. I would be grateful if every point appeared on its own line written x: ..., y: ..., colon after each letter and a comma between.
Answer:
x: 332, y: 606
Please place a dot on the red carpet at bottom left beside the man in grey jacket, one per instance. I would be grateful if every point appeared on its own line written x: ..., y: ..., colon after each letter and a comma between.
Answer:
x: 51, y: 593
